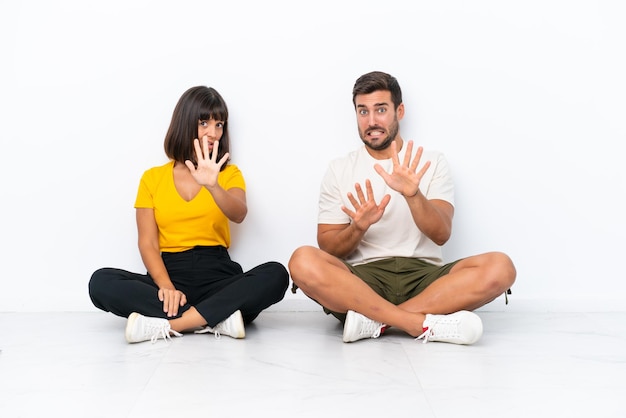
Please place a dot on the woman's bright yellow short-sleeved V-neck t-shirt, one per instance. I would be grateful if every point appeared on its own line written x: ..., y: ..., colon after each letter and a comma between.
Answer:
x: 183, y: 225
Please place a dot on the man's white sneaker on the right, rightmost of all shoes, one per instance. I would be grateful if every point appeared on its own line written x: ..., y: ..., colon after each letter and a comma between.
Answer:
x: 463, y: 327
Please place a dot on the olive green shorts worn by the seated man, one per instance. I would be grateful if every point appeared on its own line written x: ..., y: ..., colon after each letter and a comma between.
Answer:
x: 397, y: 279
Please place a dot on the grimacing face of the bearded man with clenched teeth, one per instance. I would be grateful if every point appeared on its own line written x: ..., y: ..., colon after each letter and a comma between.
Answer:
x: 377, y: 120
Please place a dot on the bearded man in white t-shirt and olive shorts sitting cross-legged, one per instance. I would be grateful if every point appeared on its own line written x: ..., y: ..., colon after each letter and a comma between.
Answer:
x: 385, y: 210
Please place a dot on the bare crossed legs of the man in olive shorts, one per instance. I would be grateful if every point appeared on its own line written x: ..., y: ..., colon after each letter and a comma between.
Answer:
x: 471, y: 283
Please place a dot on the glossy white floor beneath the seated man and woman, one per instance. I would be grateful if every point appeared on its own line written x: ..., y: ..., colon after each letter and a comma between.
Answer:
x: 294, y: 364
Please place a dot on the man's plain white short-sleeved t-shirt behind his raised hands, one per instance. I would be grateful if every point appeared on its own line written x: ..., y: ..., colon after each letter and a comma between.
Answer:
x: 396, y: 234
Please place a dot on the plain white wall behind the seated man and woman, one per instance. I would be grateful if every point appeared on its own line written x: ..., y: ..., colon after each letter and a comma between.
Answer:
x: 526, y: 99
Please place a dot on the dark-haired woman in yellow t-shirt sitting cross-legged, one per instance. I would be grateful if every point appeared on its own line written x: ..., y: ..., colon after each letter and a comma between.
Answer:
x: 183, y: 210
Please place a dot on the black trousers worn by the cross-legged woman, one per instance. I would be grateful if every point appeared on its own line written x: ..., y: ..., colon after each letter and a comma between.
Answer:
x: 214, y: 284
